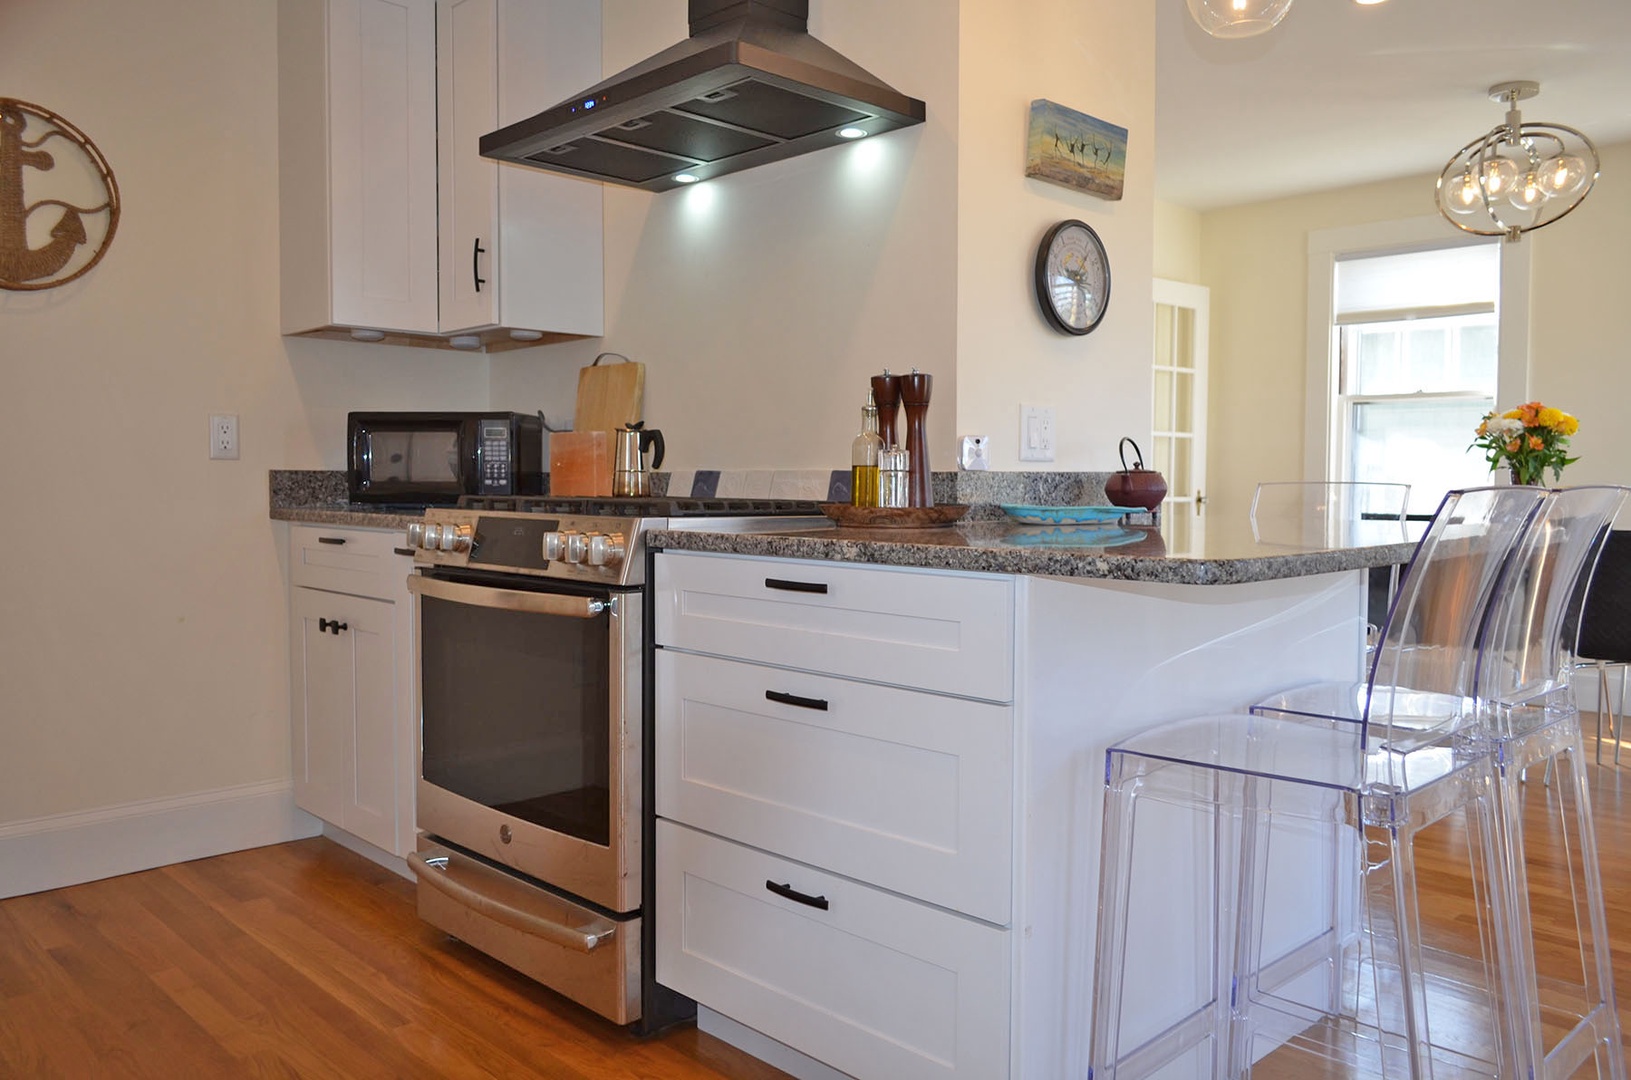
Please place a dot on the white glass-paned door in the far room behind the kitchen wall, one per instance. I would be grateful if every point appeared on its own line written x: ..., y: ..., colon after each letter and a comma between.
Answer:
x: 1180, y: 422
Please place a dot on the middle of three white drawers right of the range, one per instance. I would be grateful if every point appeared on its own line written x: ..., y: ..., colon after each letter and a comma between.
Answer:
x: 899, y: 789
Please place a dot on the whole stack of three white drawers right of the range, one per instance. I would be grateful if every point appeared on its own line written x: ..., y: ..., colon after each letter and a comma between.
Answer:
x: 834, y: 777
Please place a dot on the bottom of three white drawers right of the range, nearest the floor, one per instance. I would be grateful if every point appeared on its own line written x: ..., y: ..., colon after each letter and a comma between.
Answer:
x: 873, y: 985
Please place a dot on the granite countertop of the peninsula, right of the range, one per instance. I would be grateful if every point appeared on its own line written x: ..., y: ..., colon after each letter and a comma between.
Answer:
x: 1110, y: 552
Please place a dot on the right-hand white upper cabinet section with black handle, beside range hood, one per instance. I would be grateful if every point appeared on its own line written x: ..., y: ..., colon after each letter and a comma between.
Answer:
x: 521, y: 249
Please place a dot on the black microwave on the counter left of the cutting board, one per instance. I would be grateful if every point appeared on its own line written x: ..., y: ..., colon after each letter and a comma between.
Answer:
x: 431, y: 459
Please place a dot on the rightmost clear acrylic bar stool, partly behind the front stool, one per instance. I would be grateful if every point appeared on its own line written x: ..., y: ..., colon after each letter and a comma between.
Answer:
x: 1554, y: 880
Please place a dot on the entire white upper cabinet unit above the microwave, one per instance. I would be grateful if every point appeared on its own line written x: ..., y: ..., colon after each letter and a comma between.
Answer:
x: 389, y: 215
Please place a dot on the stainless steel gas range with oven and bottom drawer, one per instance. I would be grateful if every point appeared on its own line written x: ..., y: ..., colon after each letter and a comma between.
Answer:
x: 531, y: 689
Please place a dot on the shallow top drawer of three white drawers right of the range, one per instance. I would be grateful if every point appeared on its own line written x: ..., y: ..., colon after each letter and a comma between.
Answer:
x: 952, y: 634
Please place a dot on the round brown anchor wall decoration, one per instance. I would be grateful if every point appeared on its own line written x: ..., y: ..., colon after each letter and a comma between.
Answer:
x: 60, y: 205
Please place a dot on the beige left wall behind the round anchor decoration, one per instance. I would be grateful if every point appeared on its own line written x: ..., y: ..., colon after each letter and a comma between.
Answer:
x: 143, y: 626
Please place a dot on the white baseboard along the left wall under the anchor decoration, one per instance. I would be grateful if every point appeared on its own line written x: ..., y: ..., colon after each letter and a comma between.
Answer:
x: 71, y: 849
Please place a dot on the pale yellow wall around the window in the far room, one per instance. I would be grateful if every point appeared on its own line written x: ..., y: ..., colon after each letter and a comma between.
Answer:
x: 1255, y: 260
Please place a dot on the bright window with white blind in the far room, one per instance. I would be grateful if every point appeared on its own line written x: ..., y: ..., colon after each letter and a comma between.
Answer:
x: 1417, y: 342
